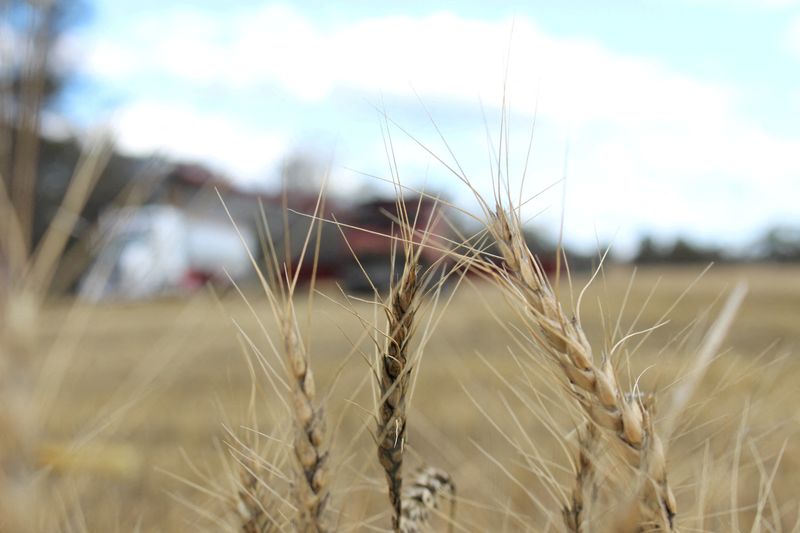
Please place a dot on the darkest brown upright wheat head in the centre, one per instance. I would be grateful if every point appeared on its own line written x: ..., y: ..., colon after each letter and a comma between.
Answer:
x: 394, y: 381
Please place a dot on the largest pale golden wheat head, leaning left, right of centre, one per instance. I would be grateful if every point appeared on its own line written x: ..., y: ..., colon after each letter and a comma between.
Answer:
x: 594, y: 386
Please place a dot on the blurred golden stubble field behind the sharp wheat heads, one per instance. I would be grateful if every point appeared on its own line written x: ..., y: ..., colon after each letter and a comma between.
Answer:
x: 160, y: 378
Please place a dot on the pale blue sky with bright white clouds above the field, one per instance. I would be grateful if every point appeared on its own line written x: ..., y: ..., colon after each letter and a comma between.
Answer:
x: 647, y: 117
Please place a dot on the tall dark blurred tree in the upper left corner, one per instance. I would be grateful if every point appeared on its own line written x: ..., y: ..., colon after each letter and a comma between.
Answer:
x: 36, y: 170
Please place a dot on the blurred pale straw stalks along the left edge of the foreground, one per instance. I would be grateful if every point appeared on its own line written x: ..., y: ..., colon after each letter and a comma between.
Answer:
x: 30, y: 377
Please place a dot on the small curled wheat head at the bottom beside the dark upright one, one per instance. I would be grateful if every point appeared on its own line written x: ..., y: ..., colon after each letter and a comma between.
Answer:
x: 423, y: 495
